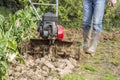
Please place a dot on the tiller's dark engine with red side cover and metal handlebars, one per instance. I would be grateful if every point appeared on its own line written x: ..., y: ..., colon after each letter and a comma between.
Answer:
x: 47, y: 26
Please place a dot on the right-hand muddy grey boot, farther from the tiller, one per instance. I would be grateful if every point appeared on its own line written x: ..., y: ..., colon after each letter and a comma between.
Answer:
x: 94, y: 42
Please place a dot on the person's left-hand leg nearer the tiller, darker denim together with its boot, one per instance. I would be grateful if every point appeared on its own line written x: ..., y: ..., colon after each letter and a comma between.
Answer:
x: 87, y: 18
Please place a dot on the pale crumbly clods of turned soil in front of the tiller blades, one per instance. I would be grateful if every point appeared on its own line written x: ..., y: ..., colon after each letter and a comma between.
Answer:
x: 41, y: 68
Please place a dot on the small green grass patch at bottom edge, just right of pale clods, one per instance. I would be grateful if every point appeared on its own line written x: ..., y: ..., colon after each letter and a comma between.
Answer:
x: 73, y: 76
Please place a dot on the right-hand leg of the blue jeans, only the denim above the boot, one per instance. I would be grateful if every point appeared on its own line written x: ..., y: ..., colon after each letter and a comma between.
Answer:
x: 98, y: 13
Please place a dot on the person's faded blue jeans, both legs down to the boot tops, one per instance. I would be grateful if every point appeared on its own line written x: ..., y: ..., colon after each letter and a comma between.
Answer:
x: 93, y: 11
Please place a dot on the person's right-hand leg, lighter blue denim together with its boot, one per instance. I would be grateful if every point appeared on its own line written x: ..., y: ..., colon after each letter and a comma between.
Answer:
x: 98, y: 12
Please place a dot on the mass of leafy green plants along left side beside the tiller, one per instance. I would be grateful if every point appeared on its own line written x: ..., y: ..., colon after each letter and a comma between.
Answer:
x: 13, y: 30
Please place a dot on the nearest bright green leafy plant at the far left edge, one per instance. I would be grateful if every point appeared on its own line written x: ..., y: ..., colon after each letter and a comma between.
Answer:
x: 8, y: 49
